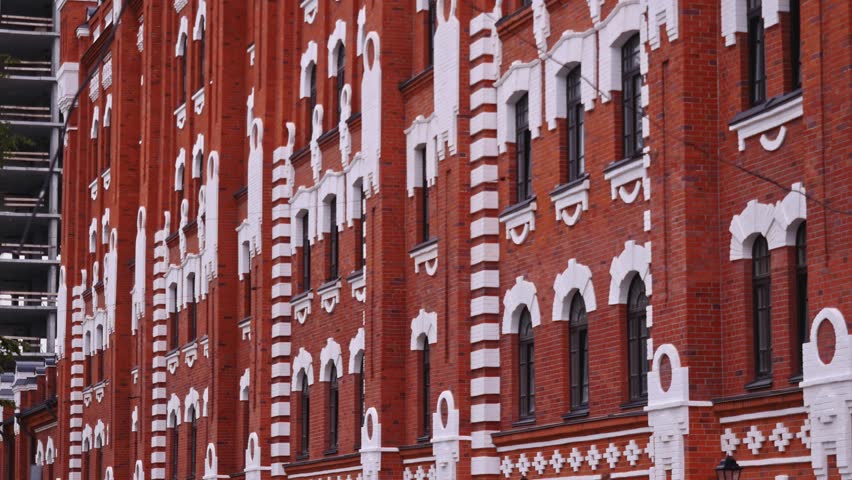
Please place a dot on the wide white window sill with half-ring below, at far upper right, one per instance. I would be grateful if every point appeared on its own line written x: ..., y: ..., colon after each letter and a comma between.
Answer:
x: 769, y: 115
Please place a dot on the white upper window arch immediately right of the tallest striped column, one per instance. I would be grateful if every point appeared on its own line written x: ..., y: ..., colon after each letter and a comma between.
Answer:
x: 519, y: 79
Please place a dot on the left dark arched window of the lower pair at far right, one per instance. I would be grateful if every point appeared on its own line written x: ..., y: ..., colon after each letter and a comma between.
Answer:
x: 762, y: 305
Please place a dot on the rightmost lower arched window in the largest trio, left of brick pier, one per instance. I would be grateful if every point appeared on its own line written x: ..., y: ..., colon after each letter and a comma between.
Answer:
x: 637, y: 340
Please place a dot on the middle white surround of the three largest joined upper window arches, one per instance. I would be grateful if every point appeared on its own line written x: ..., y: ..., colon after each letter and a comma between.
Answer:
x: 571, y: 50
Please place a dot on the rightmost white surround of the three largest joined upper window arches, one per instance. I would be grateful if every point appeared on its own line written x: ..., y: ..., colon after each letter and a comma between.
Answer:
x: 619, y: 26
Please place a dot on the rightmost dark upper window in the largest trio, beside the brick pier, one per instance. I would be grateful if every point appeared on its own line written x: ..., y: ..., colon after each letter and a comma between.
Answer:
x: 631, y: 88
